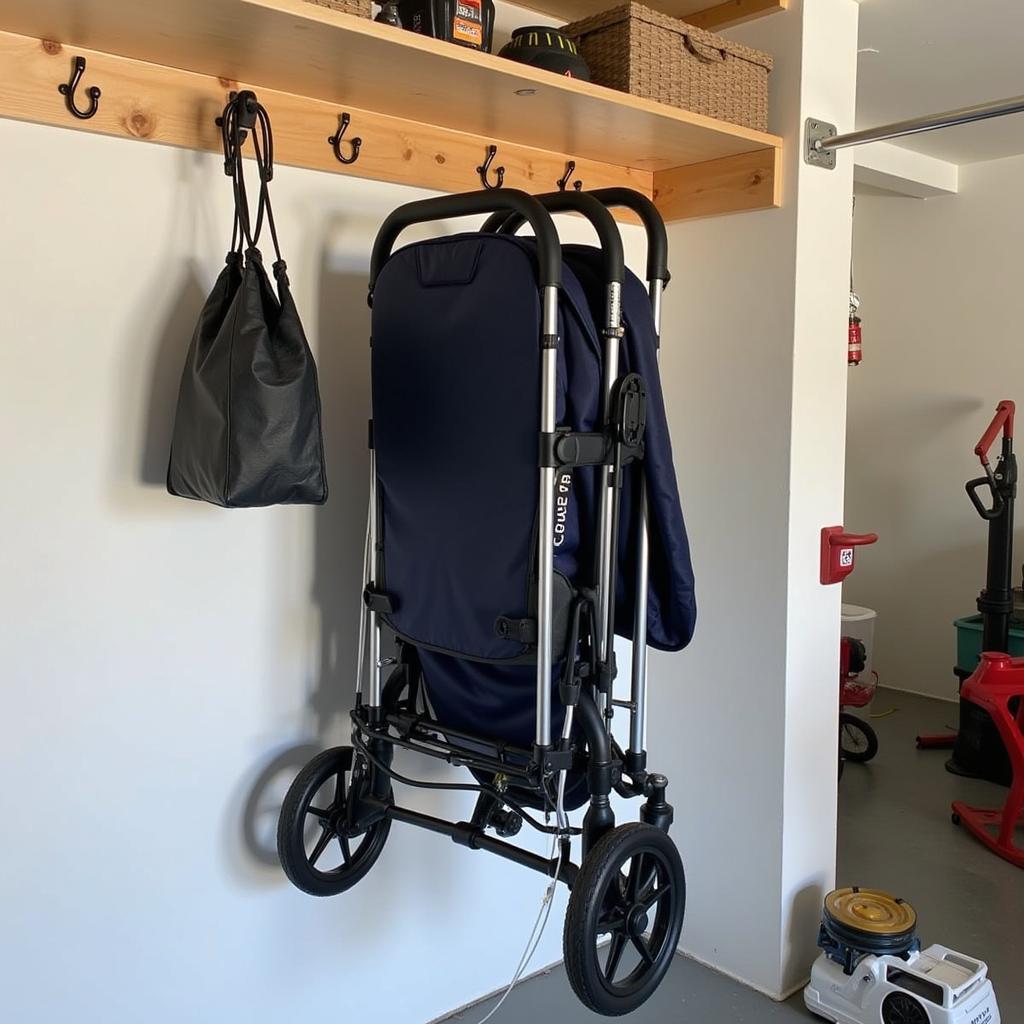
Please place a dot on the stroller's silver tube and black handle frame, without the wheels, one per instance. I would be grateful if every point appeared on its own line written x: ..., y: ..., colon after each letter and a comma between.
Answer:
x: 376, y: 728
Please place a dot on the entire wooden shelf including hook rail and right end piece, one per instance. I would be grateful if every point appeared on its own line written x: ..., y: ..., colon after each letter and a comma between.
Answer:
x: 320, y: 60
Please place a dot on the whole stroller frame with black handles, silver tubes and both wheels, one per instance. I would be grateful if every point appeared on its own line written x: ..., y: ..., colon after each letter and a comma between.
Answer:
x: 389, y: 714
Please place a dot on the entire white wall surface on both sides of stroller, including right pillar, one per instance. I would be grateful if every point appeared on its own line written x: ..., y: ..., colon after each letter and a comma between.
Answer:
x: 161, y: 658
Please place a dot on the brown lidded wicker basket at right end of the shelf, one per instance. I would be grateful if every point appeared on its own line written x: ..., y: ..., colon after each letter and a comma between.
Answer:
x: 647, y: 54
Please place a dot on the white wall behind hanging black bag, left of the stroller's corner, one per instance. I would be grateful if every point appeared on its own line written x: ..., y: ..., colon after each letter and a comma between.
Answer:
x: 159, y: 656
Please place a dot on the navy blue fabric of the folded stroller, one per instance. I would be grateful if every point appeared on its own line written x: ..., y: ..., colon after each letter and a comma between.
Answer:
x: 456, y: 397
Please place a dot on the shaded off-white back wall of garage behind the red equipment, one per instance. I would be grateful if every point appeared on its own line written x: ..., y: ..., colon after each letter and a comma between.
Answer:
x: 941, y: 284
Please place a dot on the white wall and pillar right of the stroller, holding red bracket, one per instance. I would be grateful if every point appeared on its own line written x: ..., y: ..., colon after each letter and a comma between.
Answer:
x: 758, y: 311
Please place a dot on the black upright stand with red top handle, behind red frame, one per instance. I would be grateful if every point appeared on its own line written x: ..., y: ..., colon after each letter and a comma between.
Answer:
x: 977, y: 748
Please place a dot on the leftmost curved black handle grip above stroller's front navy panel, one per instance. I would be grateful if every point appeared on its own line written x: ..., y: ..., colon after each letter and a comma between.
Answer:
x: 549, y: 253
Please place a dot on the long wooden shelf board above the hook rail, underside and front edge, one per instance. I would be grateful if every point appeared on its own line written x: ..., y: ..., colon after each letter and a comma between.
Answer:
x: 304, y: 49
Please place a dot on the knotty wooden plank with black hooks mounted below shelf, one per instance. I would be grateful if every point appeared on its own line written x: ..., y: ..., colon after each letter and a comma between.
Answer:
x: 163, y: 105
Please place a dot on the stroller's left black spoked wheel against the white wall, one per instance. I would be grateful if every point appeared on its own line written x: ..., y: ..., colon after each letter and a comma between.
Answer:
x: 321, y: 855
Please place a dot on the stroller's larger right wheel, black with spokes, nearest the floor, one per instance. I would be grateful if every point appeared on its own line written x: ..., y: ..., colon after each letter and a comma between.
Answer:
x: 631, y: 888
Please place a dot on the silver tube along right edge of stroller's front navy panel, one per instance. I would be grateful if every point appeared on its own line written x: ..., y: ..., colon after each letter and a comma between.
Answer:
x: 546, y: 530
